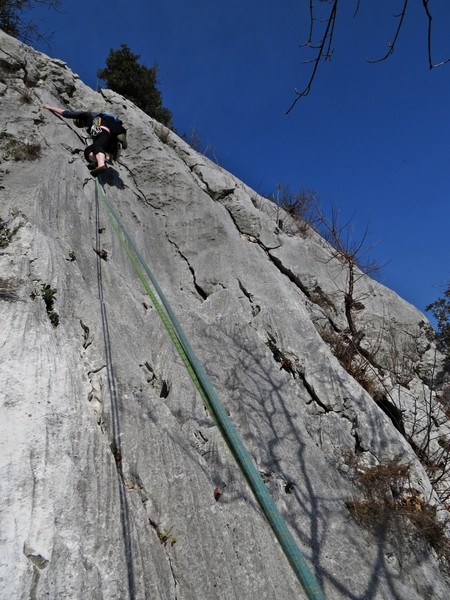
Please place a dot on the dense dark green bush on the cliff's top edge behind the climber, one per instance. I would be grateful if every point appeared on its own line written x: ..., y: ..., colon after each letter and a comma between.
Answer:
x: 125, y: 75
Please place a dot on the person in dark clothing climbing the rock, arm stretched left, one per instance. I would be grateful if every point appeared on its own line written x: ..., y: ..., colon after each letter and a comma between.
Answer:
x: 104, y: 129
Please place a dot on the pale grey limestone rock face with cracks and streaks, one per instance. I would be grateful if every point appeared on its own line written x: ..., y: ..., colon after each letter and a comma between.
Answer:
x: 116, y: 483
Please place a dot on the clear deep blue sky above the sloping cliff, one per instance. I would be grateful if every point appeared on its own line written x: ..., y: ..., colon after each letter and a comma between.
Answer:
x: 371, y: 139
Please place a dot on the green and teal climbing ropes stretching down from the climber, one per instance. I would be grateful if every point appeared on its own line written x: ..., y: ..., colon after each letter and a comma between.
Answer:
x: 213, y: 404
